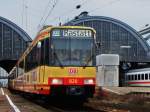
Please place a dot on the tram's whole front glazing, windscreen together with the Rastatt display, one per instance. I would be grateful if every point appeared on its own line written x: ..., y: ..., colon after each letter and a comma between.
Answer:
x: 73, y: 47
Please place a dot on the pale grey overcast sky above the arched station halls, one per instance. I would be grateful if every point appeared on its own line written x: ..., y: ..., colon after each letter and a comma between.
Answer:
x: 30, y: 15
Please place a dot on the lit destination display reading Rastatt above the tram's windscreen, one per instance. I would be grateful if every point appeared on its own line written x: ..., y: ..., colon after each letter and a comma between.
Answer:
x: 72, y: 33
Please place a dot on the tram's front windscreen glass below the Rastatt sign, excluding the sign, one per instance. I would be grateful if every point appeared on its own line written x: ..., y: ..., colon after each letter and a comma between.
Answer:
x: 73, y: 51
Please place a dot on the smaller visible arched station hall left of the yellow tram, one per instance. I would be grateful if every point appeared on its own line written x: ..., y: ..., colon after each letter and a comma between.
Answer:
x: 13, y: 42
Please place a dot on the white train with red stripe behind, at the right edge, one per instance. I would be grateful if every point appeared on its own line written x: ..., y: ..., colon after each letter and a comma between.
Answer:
x: 138, y: 77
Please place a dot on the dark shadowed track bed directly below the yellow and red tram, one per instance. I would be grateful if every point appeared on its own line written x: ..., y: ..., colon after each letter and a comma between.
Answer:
x: 64, y: 106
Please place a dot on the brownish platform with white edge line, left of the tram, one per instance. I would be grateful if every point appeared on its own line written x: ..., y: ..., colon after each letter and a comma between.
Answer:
x: 10, y: 102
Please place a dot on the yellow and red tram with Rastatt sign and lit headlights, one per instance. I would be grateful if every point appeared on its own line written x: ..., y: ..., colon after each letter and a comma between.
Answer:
x: 59, y: 61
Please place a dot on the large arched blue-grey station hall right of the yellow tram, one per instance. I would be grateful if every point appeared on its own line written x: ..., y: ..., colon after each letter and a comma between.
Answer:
x: 115, y: 37
